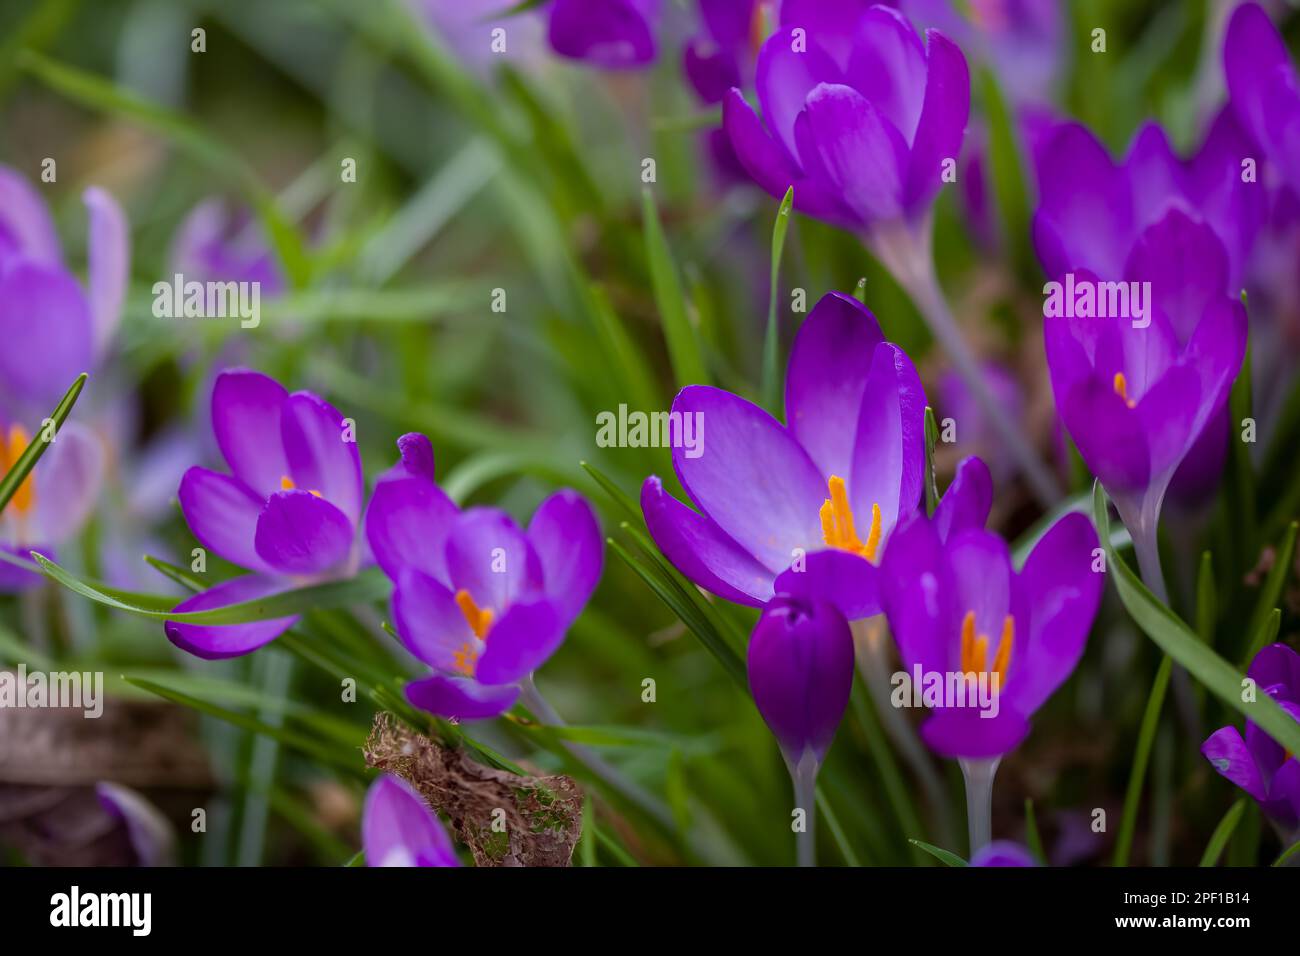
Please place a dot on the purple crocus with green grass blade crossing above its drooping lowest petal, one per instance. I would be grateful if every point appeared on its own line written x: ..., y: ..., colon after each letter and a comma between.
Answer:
x: 289, y: 511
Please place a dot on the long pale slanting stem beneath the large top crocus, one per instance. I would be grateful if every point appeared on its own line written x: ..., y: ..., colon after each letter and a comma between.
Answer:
x: 907, y: 253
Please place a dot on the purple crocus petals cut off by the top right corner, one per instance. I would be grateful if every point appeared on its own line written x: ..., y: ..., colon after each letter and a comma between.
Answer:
x: 1266, y: 88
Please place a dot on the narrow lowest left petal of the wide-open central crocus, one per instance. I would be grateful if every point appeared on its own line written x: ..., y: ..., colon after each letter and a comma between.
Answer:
x: 701, y: 551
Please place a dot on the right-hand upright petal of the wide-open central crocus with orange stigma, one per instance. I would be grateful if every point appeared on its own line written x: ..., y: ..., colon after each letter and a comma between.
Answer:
x: 890, y: 443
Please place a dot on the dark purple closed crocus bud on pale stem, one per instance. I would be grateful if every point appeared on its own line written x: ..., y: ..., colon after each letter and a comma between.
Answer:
x: 801, y: 674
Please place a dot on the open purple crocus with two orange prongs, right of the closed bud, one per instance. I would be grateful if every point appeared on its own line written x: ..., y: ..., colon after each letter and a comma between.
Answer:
x: 960, y: 608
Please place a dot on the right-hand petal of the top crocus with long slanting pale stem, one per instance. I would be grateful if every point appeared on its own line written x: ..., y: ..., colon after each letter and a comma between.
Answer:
x: 943, y: 120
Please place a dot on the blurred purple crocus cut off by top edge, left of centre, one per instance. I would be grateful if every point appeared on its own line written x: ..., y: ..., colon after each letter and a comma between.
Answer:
x: 612, y: 34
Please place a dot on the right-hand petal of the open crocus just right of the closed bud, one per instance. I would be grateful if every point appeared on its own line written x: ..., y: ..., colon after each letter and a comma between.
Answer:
x: 1064, y: 594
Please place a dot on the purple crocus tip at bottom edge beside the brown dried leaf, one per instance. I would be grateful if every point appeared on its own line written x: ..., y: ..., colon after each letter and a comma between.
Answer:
x: 398, y: 829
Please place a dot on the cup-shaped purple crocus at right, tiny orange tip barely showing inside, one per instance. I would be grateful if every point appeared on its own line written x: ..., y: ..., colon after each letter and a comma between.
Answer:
x: 1137, y: 400
